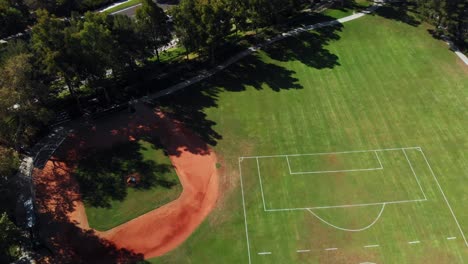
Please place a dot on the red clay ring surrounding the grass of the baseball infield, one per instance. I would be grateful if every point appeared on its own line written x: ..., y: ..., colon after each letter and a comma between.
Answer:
x: 150, y: 235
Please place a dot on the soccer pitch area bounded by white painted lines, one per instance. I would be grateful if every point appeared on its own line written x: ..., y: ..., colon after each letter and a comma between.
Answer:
x: 376, y: 196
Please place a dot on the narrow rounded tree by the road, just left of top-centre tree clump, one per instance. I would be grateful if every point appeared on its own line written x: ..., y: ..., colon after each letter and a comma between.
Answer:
x: 152, y: 22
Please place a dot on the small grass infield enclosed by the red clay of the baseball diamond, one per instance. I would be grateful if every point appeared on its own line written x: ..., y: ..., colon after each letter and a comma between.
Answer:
x: 159, y: 185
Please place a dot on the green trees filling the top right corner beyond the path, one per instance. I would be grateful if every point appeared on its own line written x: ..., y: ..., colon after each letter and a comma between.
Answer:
x: 450, y: 17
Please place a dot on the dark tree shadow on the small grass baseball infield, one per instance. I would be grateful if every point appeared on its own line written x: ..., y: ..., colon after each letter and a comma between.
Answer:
x: 104, y: 174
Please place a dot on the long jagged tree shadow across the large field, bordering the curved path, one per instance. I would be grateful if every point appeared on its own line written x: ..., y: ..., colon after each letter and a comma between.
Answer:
x: 255, y: 71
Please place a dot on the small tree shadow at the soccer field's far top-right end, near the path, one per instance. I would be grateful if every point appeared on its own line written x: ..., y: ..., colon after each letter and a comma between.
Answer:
x: 399, y: 12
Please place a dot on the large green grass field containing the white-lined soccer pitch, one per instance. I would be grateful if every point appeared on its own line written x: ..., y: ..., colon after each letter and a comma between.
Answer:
x: 375, y: 83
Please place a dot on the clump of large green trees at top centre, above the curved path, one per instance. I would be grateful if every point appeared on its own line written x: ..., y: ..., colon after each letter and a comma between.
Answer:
x: 203, y: 25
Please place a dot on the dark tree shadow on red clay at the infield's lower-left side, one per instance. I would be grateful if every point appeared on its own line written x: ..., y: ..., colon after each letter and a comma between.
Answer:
x: 61, y: 240
